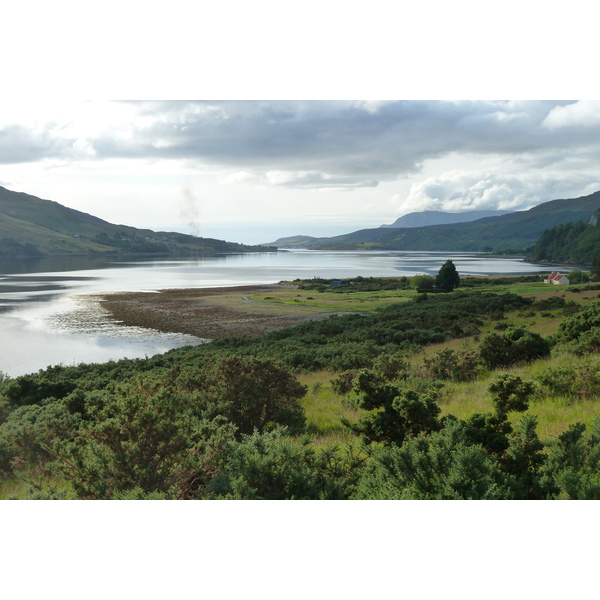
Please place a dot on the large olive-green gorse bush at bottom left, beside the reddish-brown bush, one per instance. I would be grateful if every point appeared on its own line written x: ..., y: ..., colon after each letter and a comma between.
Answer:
x: 147, y: 440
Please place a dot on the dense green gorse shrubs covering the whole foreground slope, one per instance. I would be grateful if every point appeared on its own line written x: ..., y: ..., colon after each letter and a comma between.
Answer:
x: 229, y: 419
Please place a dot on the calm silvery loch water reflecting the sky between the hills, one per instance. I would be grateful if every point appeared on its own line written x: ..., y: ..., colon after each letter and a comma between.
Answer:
x: 47, y: 316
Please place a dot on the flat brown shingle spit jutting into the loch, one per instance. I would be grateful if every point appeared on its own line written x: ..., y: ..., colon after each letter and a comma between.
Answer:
x: 207, y: 313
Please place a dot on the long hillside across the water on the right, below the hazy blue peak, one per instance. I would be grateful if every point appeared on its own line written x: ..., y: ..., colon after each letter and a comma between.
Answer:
x: 512, y: 232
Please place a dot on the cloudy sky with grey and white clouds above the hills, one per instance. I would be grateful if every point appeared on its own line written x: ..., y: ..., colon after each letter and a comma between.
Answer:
x: 243, y: 170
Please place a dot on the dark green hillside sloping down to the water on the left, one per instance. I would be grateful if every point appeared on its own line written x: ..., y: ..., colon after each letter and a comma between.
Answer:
x: 30, y: 226
